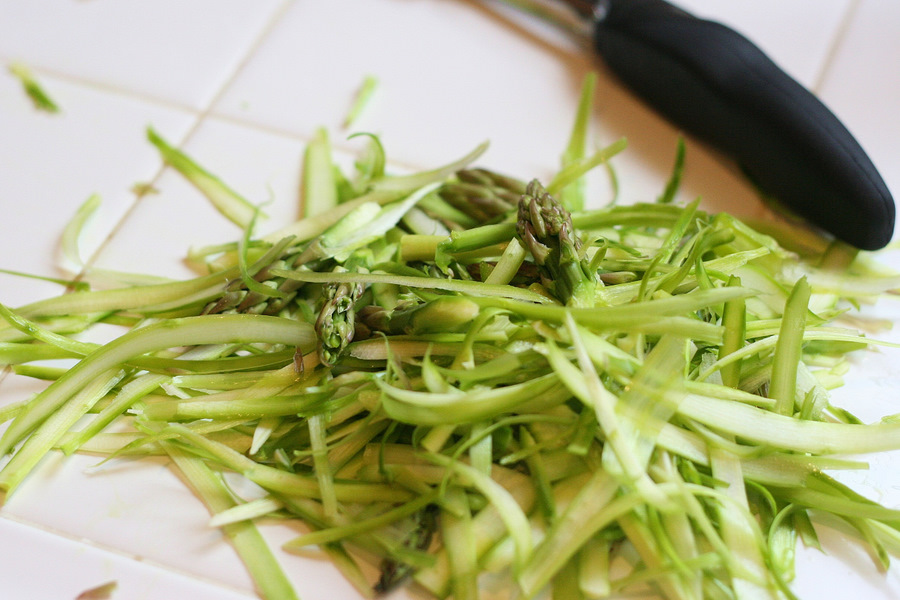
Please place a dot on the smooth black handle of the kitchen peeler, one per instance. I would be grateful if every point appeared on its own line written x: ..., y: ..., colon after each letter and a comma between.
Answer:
x: 717, y: 85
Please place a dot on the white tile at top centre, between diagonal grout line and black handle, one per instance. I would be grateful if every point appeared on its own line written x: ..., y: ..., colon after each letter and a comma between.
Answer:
x: 447, y: 80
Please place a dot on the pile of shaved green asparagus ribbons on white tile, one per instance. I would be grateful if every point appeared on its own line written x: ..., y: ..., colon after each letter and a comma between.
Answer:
x: 452, y: 373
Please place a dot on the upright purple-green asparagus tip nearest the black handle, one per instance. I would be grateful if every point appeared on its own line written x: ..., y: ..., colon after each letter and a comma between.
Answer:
x: 545, y: 227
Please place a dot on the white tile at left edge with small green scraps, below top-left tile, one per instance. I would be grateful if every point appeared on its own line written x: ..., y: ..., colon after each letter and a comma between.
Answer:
x: 51, y: 163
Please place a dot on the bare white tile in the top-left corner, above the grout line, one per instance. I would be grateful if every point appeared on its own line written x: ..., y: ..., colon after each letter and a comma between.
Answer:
x: 182, y: 52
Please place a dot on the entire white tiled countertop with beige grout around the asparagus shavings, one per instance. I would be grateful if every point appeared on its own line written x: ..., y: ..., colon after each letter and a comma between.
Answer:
x: 452, y: 73
